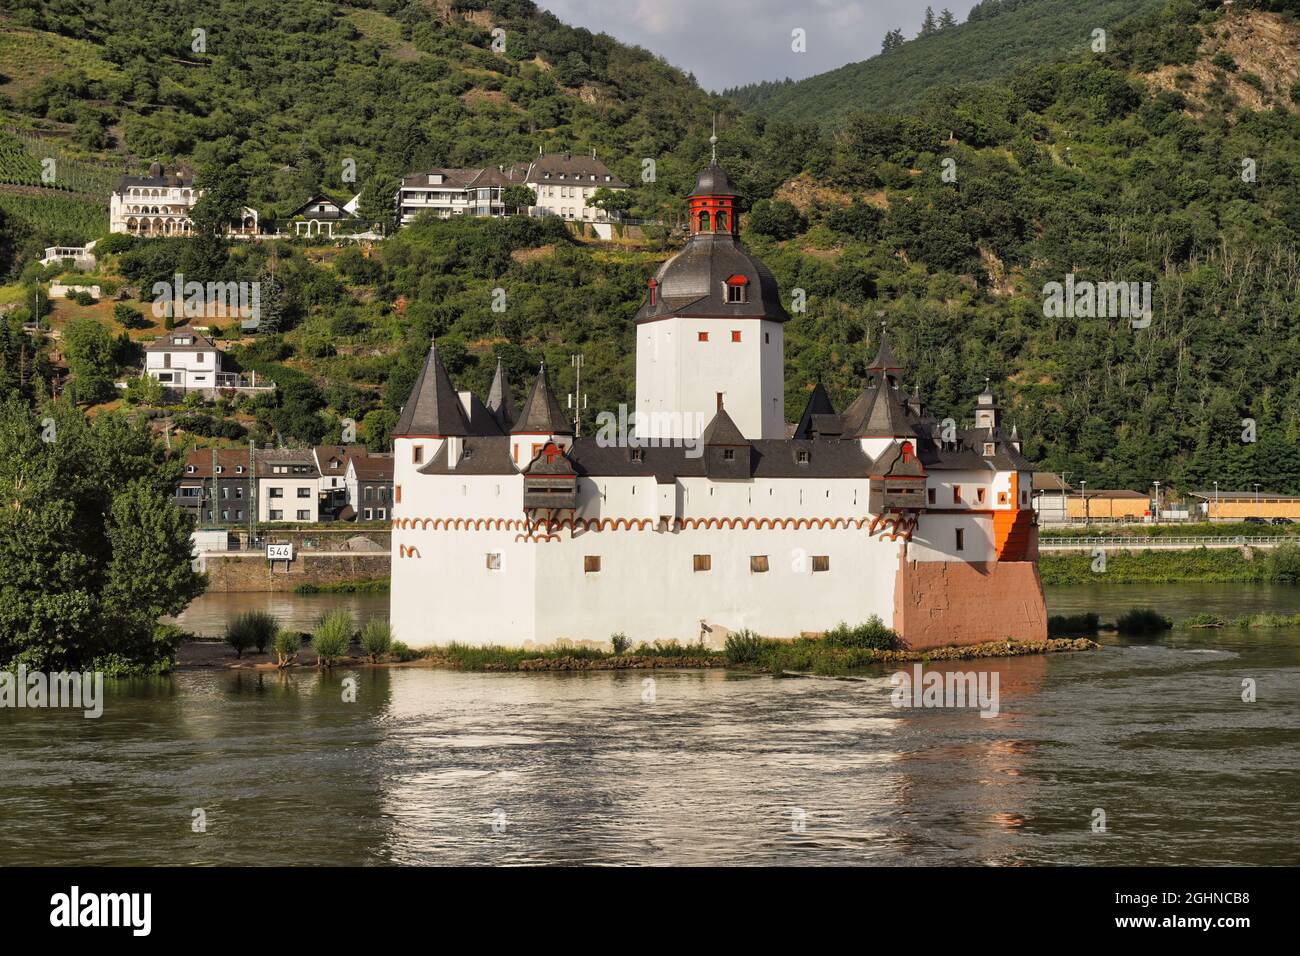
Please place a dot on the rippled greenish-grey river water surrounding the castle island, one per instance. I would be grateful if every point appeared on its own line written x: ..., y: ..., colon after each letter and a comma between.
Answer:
x: 440, y: 768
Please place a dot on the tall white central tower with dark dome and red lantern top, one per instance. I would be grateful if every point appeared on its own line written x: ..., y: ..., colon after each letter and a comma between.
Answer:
x: 712, y: 331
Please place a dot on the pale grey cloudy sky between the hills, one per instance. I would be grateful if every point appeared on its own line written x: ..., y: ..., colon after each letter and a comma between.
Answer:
x: 735, y: 42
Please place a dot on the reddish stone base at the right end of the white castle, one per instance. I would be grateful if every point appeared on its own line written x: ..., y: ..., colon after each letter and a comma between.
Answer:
x: 943, y: 603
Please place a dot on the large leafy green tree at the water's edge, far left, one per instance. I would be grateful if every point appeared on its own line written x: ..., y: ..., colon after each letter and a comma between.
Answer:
x: 93, y: 548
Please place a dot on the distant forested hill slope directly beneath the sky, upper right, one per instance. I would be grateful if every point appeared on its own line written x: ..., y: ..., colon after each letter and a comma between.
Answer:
x: 1000, y: 37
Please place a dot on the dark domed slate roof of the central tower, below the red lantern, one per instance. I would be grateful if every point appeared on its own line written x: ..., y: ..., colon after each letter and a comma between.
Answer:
x: 692, y: 283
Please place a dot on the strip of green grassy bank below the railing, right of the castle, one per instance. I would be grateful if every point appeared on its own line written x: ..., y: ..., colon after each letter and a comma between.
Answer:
x: 1202, y: 565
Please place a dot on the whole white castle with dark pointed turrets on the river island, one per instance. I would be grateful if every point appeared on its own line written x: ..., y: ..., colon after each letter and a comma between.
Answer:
x: 716, y: 516
